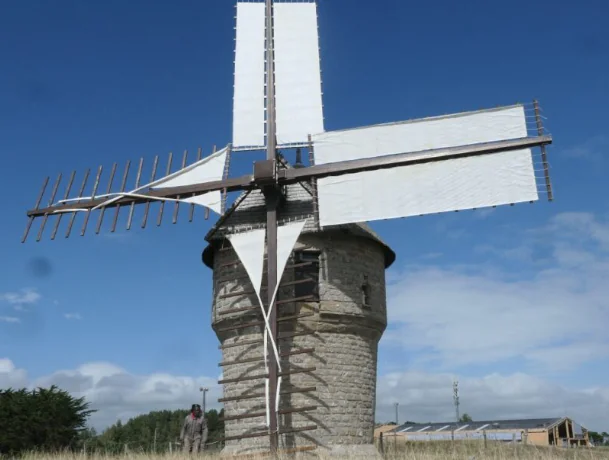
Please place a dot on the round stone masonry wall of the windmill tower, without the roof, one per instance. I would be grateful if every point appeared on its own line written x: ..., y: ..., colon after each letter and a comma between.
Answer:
x: 345, y: 341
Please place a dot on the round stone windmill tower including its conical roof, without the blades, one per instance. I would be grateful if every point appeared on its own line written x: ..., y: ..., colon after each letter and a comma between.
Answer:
x: 333, y: 313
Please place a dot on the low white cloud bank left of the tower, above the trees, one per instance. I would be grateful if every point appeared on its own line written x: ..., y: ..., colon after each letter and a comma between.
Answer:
x: 115, y: 392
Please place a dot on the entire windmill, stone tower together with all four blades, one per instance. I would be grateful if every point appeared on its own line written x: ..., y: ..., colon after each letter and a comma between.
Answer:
x: 299, y: 302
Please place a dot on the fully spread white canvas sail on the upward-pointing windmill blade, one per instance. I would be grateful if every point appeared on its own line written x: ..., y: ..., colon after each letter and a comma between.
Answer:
x: 299, y: 110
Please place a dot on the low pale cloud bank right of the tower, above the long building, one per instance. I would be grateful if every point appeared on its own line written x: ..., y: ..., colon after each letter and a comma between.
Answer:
x: 424, y: 397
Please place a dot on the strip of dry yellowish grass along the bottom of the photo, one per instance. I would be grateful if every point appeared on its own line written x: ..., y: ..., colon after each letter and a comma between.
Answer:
x: 415, y: 451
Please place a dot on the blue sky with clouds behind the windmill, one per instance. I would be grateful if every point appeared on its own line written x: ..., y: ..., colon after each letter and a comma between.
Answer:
x: 90, y: 83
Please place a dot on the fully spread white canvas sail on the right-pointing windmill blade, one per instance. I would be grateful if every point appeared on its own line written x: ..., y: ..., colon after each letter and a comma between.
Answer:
x: 455, y: 184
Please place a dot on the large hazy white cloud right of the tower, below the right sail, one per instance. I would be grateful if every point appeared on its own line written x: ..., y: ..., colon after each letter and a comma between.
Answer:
x: 553, y: 306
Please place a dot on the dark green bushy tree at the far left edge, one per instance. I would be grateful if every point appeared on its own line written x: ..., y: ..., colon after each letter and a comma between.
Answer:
x: 40, y: 419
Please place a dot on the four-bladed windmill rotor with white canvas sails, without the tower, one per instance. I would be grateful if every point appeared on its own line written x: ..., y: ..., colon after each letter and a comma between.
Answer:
x: 450, y: 163
